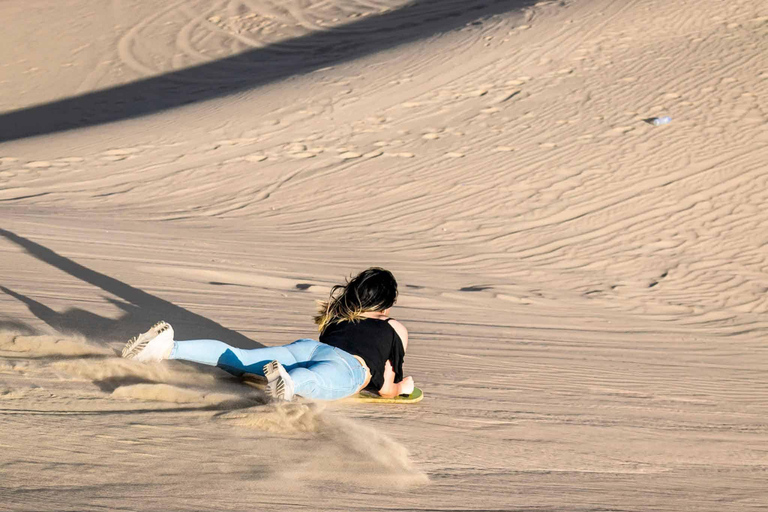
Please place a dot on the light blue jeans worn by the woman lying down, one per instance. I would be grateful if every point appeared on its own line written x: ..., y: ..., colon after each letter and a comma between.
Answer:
x: 318, y: 371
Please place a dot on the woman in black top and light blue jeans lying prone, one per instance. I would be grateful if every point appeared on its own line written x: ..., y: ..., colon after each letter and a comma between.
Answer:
x: 360, y: 347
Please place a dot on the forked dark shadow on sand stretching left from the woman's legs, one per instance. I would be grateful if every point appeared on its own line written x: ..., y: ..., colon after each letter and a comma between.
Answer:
x: 141, y: 309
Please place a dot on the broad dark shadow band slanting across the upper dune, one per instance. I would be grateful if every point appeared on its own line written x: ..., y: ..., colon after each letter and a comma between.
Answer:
x: 417, y: 20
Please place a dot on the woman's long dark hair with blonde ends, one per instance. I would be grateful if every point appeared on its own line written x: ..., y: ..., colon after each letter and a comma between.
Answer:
x: 374, y: 289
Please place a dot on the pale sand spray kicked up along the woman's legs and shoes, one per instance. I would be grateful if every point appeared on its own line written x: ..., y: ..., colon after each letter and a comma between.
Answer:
x: 337, y: 449
